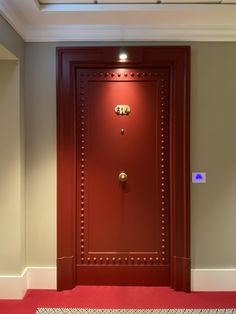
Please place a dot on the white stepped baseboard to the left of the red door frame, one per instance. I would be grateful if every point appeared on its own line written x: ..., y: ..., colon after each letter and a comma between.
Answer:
x: 14, y: 287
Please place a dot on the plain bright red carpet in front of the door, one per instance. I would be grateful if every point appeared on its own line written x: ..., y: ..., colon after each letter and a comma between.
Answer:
x: 117, y: 297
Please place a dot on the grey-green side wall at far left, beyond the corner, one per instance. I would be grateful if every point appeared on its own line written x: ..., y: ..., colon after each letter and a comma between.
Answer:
x: 12, y: 146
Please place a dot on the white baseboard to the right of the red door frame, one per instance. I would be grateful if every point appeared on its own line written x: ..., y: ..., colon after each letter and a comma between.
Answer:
x: 213, y: 279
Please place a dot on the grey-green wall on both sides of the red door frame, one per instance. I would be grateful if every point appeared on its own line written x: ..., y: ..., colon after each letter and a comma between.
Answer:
x: 213, y: 131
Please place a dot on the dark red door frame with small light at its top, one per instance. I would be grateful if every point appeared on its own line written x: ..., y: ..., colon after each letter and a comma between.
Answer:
x: 177, y: 58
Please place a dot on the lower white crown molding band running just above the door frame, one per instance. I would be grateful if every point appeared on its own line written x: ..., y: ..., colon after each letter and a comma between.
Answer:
x: 130, y: 33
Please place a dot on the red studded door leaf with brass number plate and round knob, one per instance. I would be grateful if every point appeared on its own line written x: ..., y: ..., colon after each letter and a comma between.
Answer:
x: 122, y: 176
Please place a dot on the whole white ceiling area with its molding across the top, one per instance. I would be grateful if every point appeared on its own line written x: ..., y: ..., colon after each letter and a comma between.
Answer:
x: 113, y: 20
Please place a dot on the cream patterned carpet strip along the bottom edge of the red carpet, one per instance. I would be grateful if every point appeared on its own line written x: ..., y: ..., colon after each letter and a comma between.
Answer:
x: 133, y: 311
